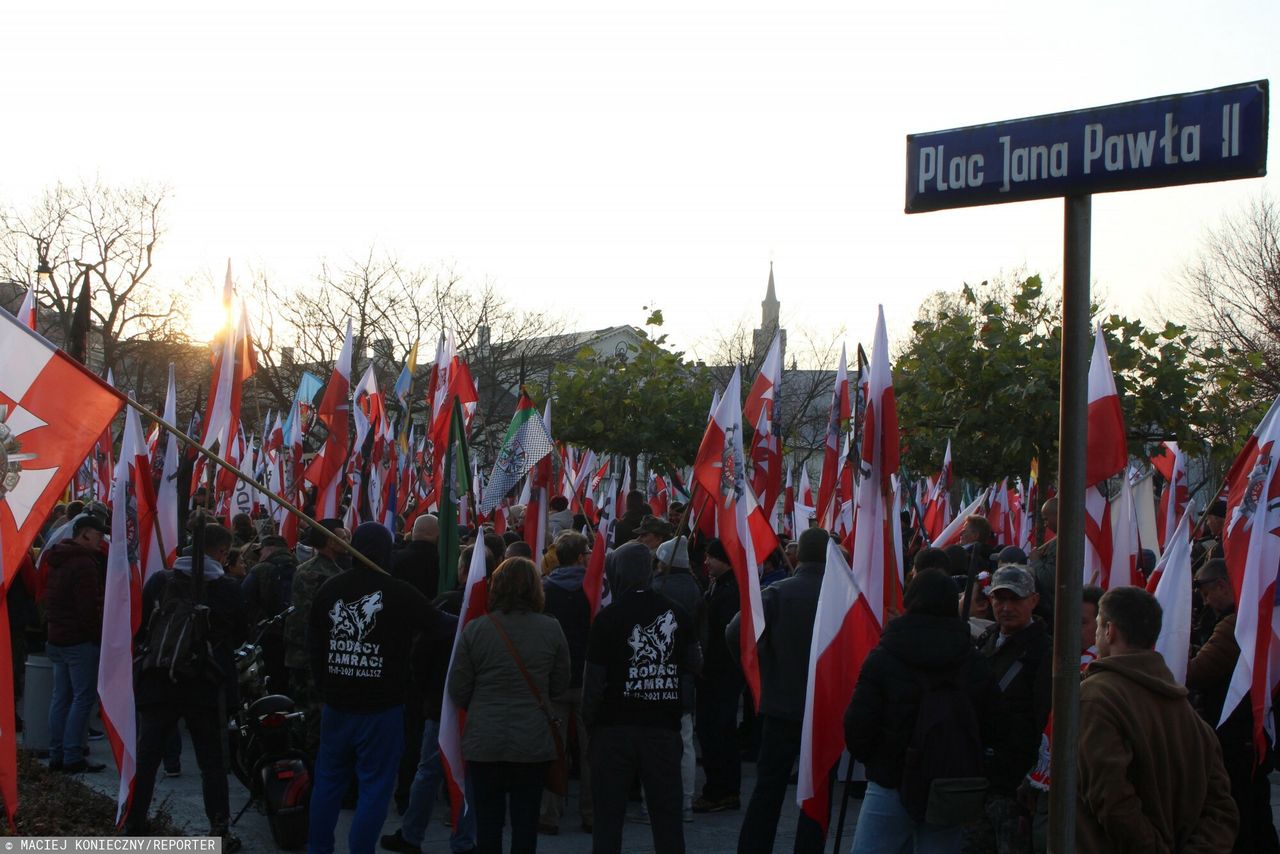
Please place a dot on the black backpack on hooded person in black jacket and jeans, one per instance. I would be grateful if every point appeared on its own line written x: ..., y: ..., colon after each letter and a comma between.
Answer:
x: 943, y: 771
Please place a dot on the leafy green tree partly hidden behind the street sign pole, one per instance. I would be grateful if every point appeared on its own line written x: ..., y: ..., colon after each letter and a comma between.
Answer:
x: 982, y: 369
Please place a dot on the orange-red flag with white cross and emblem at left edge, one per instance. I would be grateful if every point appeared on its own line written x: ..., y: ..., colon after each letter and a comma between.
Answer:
x: 52, y: 414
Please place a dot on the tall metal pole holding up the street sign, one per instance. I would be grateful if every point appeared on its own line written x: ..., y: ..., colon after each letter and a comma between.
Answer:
x: 1073, y: 440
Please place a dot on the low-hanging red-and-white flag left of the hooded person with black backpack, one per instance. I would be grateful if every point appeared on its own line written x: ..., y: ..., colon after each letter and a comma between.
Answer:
x: 844, y: 631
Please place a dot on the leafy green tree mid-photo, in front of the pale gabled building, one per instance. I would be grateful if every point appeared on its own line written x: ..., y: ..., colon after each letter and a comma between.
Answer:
x: 648, y: 403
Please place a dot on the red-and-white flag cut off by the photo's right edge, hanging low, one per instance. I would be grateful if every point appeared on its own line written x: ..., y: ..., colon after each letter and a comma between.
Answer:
x: 1251, y: 544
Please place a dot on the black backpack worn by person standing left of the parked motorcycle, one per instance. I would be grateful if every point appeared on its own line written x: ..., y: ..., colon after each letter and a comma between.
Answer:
x: 177, y: 642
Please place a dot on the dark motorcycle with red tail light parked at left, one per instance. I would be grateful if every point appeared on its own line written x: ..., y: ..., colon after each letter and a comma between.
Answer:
x: 266, y: 753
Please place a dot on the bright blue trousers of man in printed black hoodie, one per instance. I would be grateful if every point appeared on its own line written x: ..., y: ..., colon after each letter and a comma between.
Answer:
x: 368, y: 746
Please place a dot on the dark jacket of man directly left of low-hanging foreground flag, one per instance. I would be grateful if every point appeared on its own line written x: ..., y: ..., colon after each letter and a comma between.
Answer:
x: 790, y: 608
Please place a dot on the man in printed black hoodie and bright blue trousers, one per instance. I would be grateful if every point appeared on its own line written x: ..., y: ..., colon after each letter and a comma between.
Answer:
x: 359, y: 640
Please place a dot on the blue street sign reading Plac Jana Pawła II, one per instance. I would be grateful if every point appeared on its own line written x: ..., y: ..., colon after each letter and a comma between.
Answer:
x: 1217, y: 135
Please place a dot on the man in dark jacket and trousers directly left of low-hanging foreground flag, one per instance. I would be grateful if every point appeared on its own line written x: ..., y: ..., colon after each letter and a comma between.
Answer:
x: 790, y: 610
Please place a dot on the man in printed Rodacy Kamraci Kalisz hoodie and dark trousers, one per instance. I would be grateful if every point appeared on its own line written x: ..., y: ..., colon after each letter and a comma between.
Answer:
x: 641, y: 645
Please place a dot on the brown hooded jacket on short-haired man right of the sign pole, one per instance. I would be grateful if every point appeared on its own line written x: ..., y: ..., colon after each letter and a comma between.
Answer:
x: 1151, y: 770
